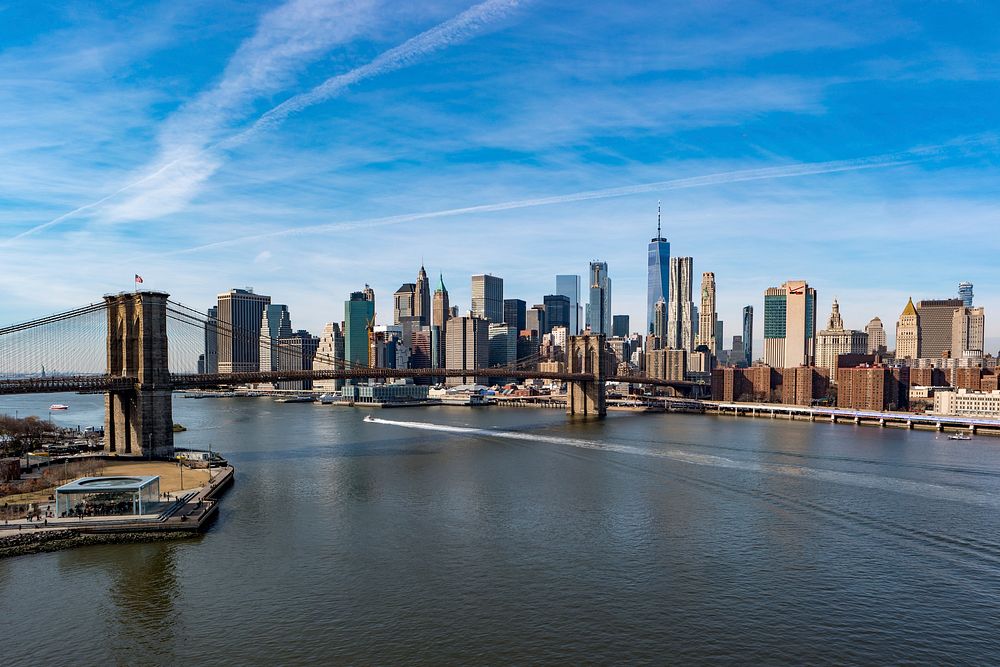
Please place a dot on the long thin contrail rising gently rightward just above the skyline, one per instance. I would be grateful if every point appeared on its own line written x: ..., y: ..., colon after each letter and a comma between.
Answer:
x: 721, y: 178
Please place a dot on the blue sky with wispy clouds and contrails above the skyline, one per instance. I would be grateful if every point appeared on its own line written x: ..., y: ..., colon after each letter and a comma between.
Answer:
x: 305, y: 148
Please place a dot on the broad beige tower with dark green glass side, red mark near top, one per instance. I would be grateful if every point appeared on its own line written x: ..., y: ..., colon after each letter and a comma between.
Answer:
x: 790, y: 325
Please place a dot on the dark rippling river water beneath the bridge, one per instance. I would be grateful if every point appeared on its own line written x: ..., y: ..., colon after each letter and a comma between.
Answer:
x: 471, y: 536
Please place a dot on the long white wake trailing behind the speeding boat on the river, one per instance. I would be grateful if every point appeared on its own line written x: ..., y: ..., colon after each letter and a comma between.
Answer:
x: 858, y: 479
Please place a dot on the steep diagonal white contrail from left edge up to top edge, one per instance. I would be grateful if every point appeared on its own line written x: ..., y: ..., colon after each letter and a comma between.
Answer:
x: 452, y: 31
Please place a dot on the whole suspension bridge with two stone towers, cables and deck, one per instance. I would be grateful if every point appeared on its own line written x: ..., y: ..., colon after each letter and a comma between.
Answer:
x: 137, y: 348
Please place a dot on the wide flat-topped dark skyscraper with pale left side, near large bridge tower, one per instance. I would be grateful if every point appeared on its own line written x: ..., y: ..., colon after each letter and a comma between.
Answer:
x: 238, y: 339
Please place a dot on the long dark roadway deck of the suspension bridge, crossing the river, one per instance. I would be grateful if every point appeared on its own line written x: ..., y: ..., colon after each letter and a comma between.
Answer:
x: 107, y: 383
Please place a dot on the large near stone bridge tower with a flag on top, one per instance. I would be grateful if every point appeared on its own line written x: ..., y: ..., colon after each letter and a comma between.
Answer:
x: 139, y: 421
